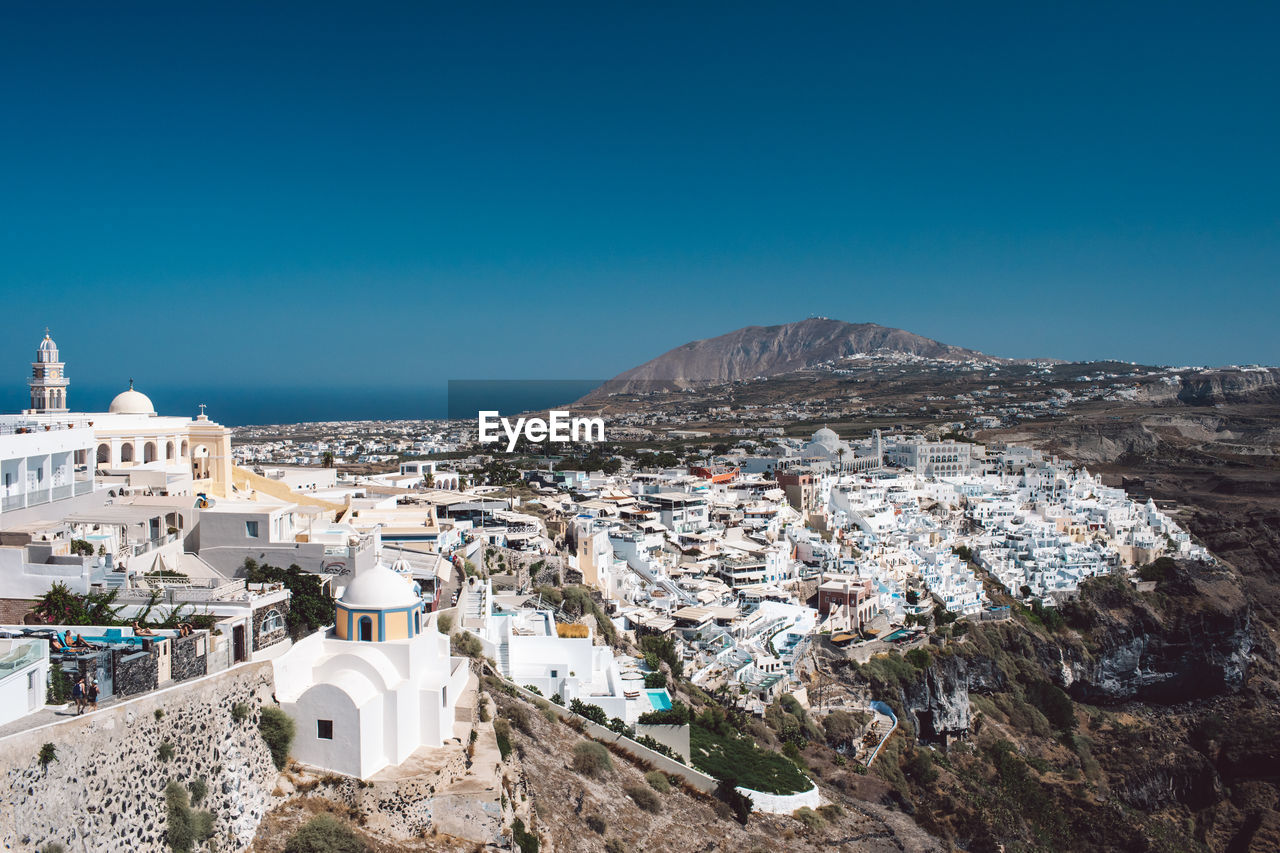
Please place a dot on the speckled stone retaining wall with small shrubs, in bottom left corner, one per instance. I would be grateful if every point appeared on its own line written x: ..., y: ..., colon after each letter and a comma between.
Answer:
x: 106, y: 790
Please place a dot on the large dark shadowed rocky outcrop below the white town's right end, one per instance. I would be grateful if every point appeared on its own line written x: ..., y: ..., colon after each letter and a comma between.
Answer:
x: 1191, y: 640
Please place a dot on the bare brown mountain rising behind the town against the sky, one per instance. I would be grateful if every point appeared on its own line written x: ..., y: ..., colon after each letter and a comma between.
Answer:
x: 774, y: 350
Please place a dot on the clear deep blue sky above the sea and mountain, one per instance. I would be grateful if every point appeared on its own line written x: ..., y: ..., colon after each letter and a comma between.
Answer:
x: 371, y: 194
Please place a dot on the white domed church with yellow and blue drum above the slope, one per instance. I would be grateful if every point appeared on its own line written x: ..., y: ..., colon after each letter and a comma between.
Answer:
x: 378, y: 686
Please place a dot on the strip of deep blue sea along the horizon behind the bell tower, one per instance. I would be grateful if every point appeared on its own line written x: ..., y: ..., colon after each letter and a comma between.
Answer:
x: 243, y: 407
